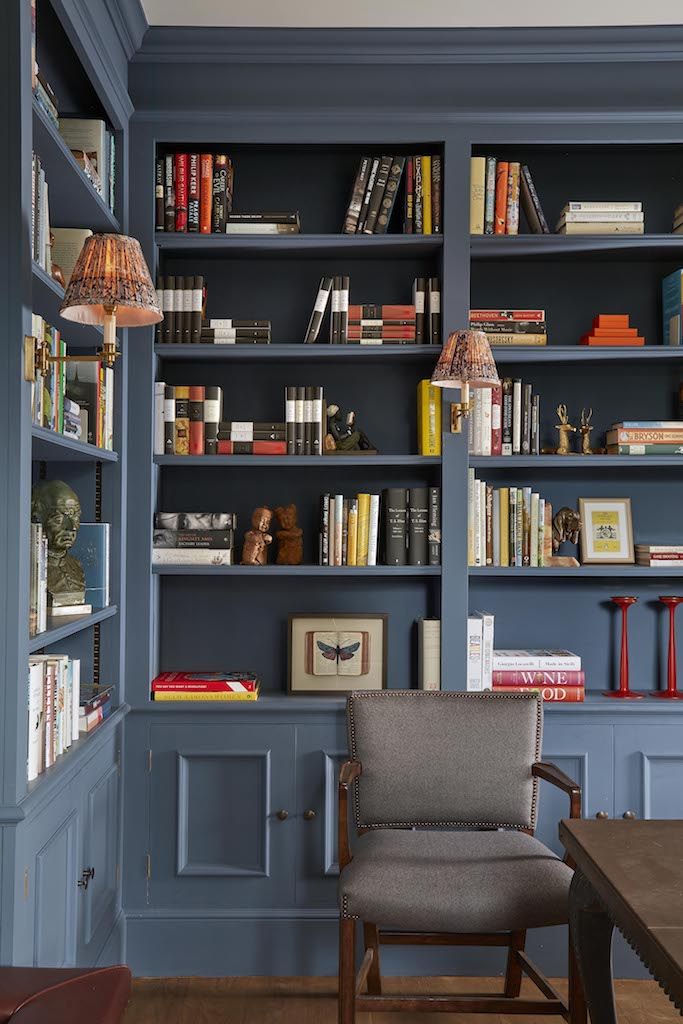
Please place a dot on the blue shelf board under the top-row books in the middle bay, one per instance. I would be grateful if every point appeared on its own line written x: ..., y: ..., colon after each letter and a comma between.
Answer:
x: 304, y: 246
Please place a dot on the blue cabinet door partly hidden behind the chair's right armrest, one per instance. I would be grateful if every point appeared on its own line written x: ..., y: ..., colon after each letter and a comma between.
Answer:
x: 585, y: 751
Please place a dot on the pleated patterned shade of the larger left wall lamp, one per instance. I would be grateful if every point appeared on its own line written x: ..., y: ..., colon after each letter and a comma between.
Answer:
x: 111, y: 278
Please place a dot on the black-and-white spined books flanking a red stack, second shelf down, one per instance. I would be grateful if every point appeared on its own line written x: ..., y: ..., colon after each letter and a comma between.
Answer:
x: 377, y: 324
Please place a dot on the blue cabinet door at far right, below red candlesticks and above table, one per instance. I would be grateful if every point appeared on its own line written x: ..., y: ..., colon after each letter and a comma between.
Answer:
x: 649, y: 763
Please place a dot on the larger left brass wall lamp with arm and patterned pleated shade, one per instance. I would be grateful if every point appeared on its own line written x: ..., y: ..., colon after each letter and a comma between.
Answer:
x: 111, y: 283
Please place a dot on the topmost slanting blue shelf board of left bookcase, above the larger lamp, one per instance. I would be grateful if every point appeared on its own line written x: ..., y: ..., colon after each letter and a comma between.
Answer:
x: 71, y: 195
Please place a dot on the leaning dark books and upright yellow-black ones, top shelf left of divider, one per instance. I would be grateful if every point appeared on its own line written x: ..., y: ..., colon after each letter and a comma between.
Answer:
x: 376, y: 190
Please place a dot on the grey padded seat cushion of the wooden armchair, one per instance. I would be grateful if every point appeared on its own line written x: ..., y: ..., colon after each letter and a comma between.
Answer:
x: 455, y: 882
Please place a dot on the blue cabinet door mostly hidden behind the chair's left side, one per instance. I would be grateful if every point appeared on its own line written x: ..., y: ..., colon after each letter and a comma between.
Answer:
x: 321, y: 750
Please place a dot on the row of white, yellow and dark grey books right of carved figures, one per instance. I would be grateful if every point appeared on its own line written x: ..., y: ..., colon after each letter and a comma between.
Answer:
x: 410, y: 533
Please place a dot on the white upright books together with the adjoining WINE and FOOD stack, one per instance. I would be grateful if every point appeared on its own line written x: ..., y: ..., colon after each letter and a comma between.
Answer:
x: 558, y: 675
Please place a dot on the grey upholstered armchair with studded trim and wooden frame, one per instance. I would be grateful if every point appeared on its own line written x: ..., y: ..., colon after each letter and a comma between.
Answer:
x: 445, y: 793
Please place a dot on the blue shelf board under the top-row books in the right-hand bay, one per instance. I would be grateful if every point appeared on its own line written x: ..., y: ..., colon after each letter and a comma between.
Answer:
x: 592, y: 247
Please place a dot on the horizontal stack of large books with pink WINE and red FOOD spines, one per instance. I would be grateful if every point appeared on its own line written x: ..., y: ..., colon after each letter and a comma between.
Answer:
x: 558, y: 675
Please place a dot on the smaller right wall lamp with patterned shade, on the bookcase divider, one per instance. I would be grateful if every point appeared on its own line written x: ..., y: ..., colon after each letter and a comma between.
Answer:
x: 466, y: 361
